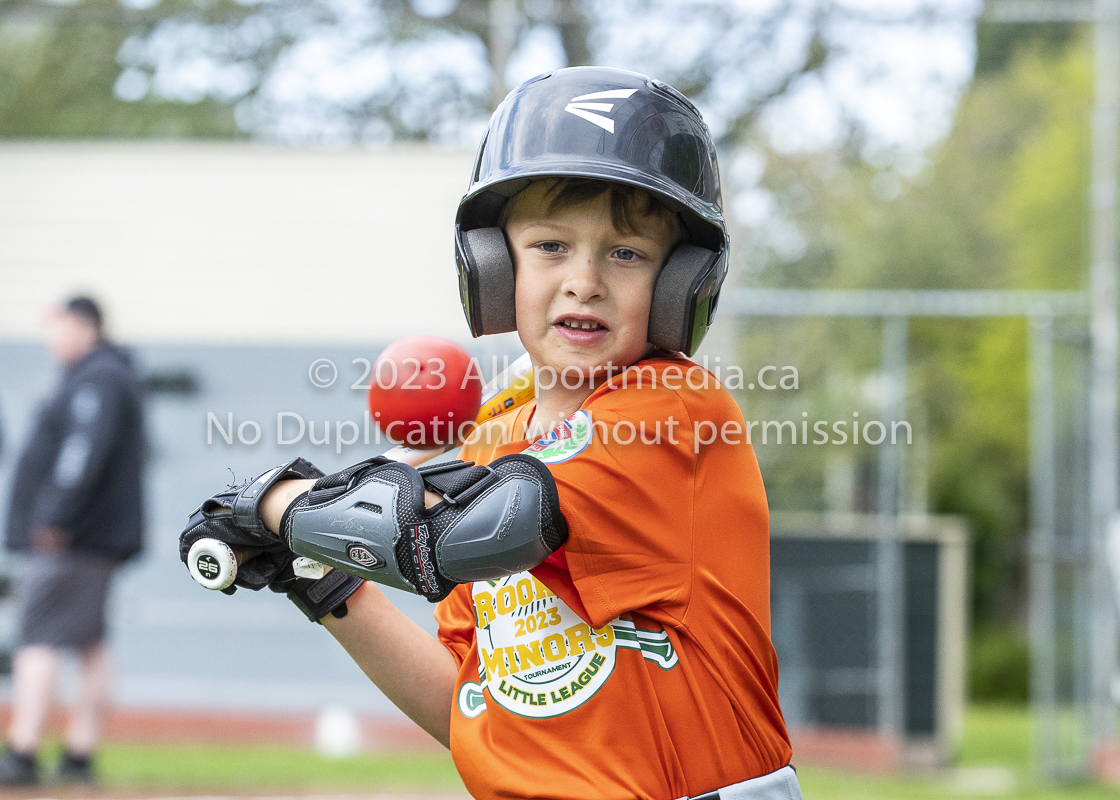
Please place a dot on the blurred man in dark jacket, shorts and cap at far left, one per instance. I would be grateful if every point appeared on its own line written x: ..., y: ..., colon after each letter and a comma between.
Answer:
x: 76, y: 515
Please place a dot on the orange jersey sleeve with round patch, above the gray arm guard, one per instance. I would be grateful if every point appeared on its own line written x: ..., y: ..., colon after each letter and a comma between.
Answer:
x: 628, y: 494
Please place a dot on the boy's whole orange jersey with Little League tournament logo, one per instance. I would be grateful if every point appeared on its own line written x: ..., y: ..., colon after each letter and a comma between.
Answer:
x: 637, y: 662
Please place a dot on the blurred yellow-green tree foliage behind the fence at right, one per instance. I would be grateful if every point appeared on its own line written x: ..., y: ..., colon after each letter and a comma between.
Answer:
x: 1002, y: 206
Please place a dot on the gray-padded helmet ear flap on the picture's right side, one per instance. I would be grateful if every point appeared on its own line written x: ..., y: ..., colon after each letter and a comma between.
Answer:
x: 683, y: 293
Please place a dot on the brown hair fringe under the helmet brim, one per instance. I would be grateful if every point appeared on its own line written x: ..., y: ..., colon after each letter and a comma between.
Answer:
x: 630, y: 206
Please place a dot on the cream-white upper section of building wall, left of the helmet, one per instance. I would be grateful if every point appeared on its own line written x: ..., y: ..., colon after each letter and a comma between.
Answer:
x: 232, y: 243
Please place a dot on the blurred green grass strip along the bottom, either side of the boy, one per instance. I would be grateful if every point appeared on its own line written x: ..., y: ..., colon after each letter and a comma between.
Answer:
x: 994, y: 761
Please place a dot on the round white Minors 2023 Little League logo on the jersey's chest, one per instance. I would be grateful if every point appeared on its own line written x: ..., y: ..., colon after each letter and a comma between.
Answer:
x: 536, y: 657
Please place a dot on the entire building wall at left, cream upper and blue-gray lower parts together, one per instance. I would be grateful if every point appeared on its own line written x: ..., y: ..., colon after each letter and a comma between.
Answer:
x: 238, y: 266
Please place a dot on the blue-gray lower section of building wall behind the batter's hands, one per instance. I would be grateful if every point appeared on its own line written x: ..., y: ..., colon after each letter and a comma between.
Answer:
x: 178, y: 645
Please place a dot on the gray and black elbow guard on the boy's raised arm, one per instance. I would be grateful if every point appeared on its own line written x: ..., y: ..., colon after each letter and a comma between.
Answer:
x: 370, y: 520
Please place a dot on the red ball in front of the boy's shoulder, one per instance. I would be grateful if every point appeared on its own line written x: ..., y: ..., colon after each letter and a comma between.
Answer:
x: 423, y: 389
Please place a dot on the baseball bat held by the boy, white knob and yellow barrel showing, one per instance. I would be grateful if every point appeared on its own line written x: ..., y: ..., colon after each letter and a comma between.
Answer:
x: 213, y: 564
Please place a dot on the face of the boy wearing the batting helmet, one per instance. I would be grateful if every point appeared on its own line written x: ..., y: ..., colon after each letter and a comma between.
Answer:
x: 584, y: 287
